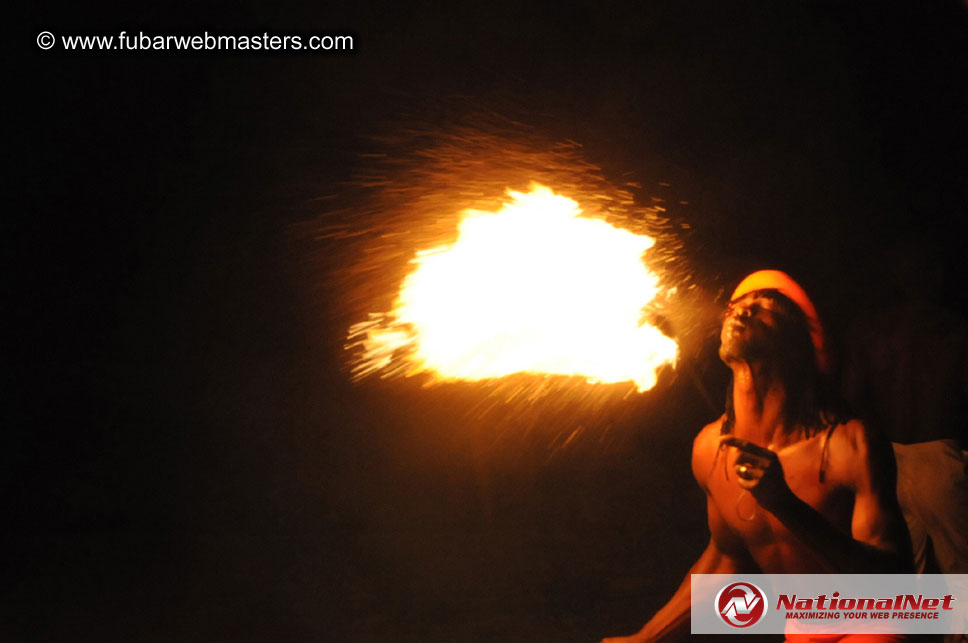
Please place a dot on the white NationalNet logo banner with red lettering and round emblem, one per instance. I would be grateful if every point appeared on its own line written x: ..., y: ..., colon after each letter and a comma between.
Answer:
x: 829, y: 604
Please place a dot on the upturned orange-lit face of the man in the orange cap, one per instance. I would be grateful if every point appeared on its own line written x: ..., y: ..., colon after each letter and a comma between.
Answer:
x: 751, y: 328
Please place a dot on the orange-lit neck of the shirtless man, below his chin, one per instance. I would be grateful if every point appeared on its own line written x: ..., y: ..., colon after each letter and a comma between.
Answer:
x: 758, y: 401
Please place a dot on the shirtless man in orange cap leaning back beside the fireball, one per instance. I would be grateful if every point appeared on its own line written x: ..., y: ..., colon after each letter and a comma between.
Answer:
x: 790, y: 488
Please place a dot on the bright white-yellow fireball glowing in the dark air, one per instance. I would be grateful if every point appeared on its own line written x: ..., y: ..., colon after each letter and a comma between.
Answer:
x: 533, y: 288
